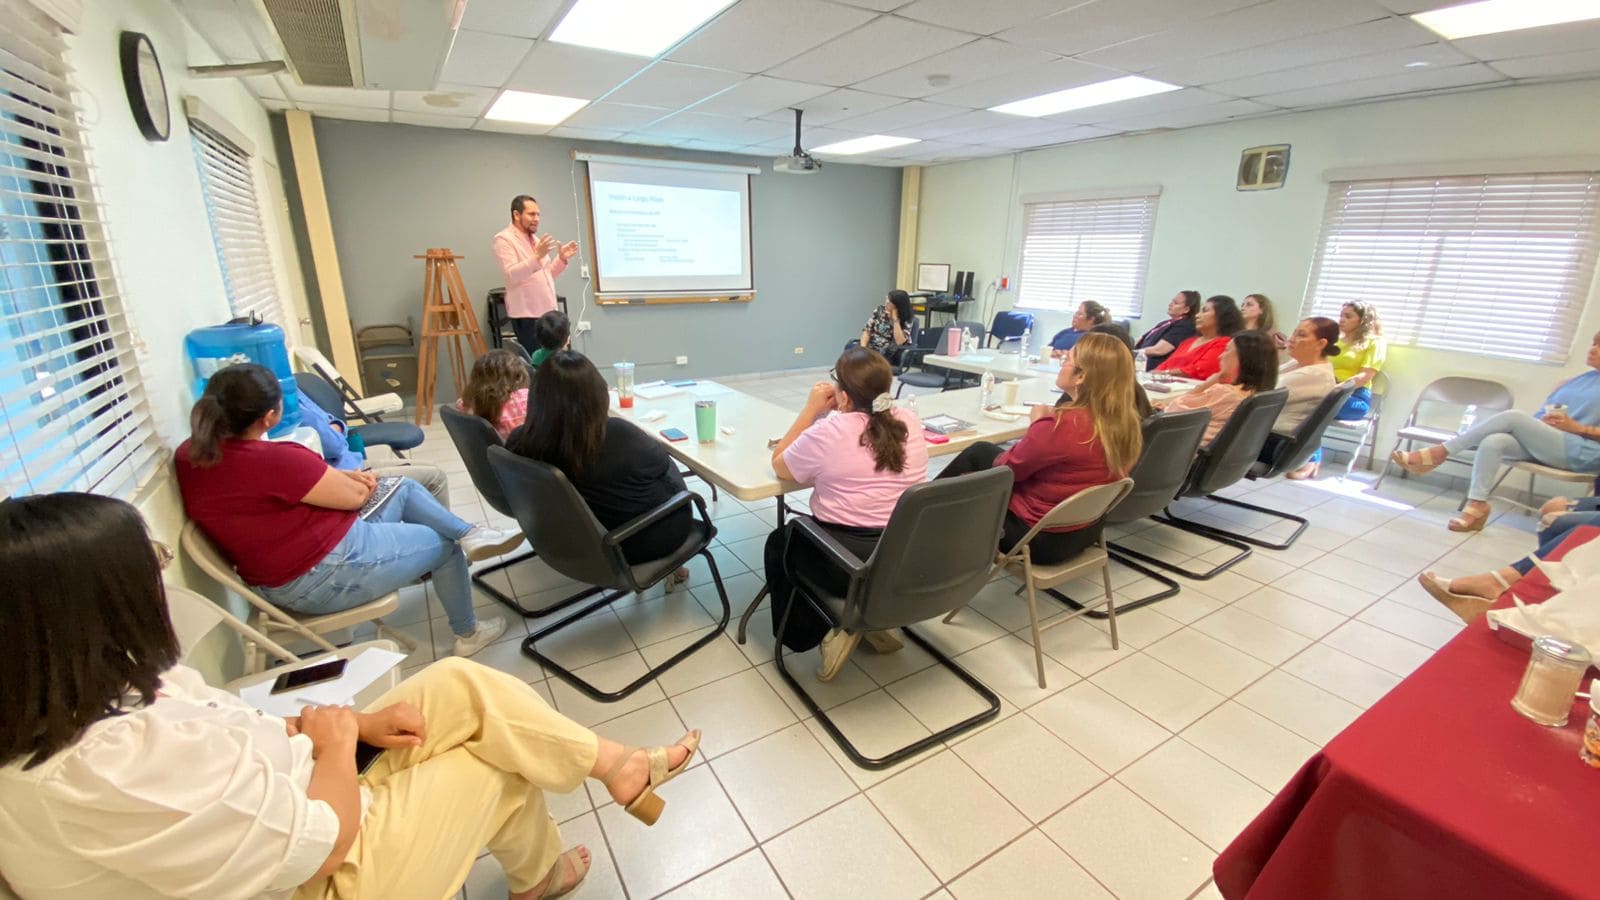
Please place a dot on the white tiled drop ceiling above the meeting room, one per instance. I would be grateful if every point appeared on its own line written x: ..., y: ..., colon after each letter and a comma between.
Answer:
x: 930, y: 70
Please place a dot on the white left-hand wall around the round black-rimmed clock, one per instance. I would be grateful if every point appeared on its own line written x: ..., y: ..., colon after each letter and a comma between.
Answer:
x: 164, y: 257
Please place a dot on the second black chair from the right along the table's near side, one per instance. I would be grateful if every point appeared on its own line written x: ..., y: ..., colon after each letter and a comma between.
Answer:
x: 1223, y: 462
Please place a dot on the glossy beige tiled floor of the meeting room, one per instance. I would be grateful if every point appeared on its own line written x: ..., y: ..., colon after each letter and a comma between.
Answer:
x: 1122, y: 779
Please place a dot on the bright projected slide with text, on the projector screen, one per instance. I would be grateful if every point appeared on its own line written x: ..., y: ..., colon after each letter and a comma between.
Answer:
x: 652, y: 230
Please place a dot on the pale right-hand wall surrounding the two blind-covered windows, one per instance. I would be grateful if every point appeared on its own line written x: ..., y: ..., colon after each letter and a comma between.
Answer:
x: 1215, y: 239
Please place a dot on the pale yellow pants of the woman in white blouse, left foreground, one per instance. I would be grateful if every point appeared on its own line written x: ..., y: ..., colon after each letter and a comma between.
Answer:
x: 494, y: 747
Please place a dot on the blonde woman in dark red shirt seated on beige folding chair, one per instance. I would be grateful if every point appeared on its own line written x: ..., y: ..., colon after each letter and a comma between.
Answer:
x: 1086, y: 441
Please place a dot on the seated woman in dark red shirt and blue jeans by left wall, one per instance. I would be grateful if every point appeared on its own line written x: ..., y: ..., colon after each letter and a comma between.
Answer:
x: 289, y: 521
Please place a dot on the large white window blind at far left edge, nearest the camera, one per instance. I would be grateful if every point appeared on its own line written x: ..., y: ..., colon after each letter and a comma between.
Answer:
x: 73, y: 412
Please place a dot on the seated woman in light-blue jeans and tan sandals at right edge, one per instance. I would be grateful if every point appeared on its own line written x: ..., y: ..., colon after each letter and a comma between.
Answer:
x: 1566, y: 436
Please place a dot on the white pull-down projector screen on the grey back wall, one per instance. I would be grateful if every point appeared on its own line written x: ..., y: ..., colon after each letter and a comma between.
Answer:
x: 670, y: 230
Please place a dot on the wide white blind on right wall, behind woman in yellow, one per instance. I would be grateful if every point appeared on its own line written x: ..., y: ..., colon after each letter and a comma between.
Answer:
x: 1494, y: 265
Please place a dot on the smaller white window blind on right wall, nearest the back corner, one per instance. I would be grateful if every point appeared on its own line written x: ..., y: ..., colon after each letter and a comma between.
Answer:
x: 1078, y: 251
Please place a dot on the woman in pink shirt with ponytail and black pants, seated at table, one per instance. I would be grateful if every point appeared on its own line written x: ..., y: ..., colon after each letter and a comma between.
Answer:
x: 858, y: 452
